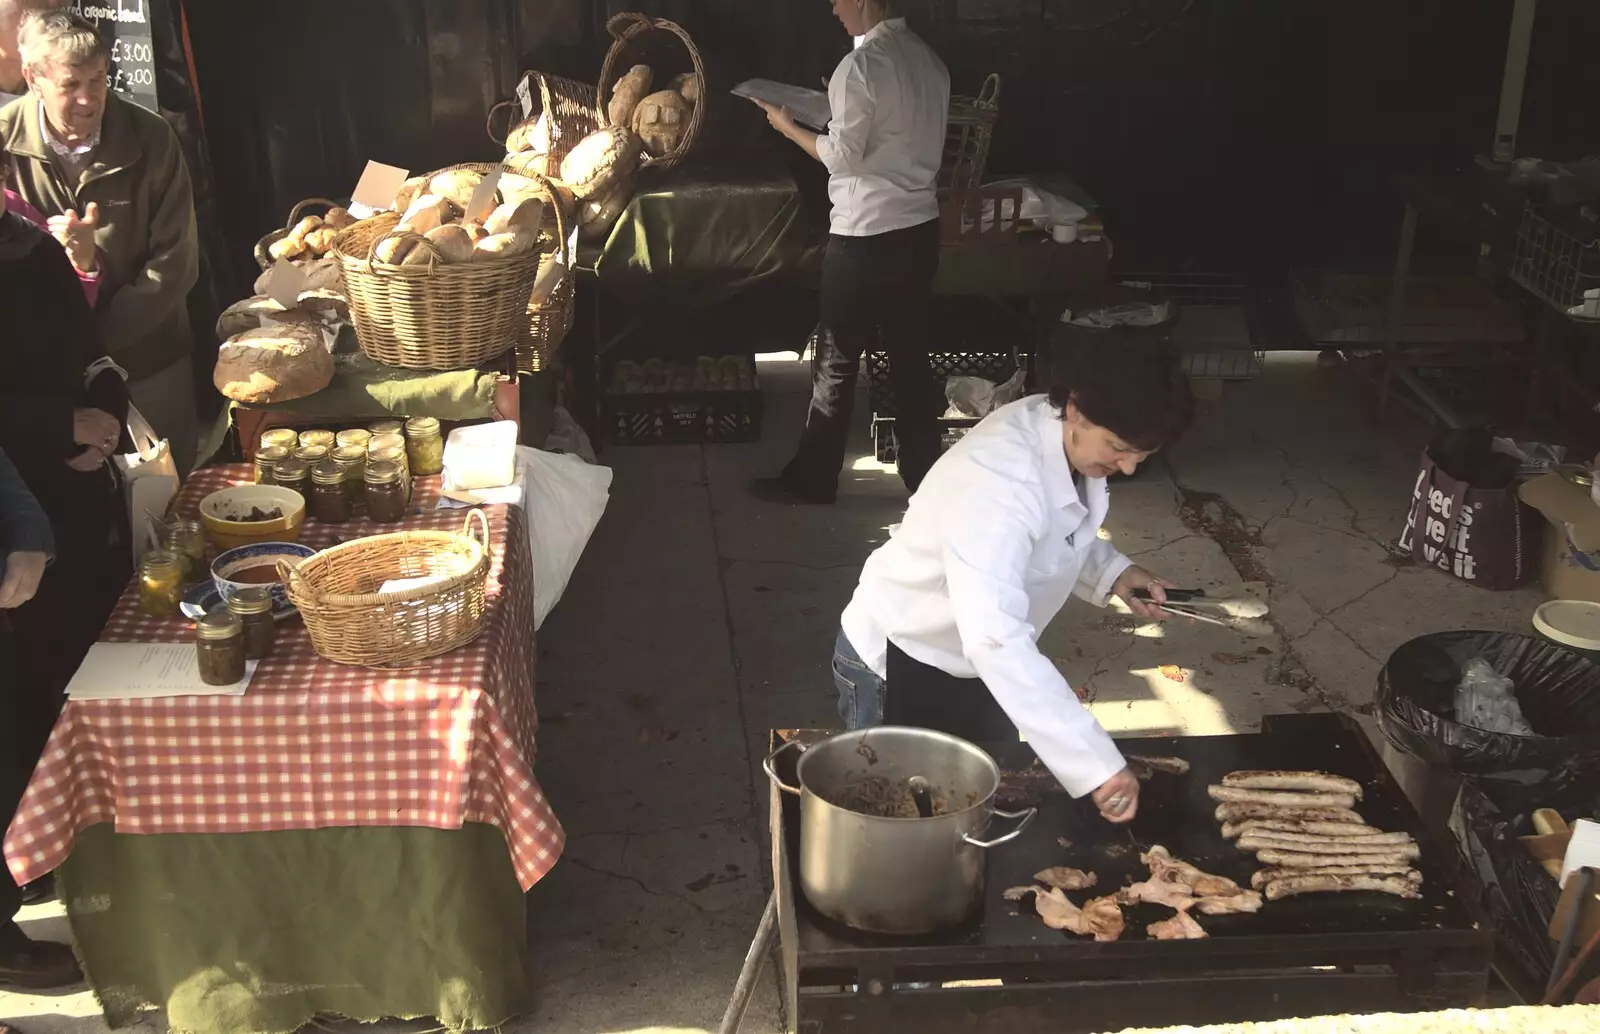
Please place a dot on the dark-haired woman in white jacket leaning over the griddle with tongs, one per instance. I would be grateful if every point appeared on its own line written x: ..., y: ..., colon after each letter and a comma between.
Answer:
x: 943, y: 631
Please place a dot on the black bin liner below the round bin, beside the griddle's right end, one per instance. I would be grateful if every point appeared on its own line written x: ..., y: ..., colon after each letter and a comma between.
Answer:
x: 1516, y: 889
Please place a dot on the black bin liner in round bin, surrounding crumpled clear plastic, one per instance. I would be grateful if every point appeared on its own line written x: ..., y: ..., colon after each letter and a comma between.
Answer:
x: 1559, y: 692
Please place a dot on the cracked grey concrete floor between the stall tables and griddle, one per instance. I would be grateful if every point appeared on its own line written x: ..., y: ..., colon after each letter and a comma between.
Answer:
x: 698, y: 620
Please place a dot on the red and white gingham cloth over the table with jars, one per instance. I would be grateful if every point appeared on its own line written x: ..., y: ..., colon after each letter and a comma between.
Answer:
x: 311, y: 743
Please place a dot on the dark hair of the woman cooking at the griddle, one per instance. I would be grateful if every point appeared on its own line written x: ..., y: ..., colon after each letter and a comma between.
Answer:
x: 1134, y: 388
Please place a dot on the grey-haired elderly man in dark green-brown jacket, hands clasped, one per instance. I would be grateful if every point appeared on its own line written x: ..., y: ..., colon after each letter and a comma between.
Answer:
x: 87, y: 158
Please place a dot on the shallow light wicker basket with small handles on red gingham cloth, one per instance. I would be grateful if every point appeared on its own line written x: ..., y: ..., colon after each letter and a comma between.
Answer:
x: 353, y: 623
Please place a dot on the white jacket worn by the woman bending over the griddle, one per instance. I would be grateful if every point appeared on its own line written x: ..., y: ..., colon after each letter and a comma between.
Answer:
x: 991, y: 547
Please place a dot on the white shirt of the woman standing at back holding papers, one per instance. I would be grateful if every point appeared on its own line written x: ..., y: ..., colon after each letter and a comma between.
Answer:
x: 890, y: 102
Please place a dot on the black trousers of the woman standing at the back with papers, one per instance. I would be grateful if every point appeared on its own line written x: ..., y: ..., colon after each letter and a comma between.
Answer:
x: 876, y: 294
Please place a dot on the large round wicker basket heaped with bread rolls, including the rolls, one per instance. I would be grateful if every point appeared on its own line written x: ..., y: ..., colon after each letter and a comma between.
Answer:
x: 438, y: 287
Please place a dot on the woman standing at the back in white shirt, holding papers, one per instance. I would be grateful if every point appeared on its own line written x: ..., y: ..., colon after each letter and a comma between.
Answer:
x: 890, y: 102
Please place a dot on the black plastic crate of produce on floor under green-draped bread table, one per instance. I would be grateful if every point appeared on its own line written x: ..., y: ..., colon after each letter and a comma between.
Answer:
x: 684, y: 417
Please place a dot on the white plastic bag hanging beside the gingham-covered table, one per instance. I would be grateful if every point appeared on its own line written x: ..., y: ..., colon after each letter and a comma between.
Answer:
x: 566, y: 502
